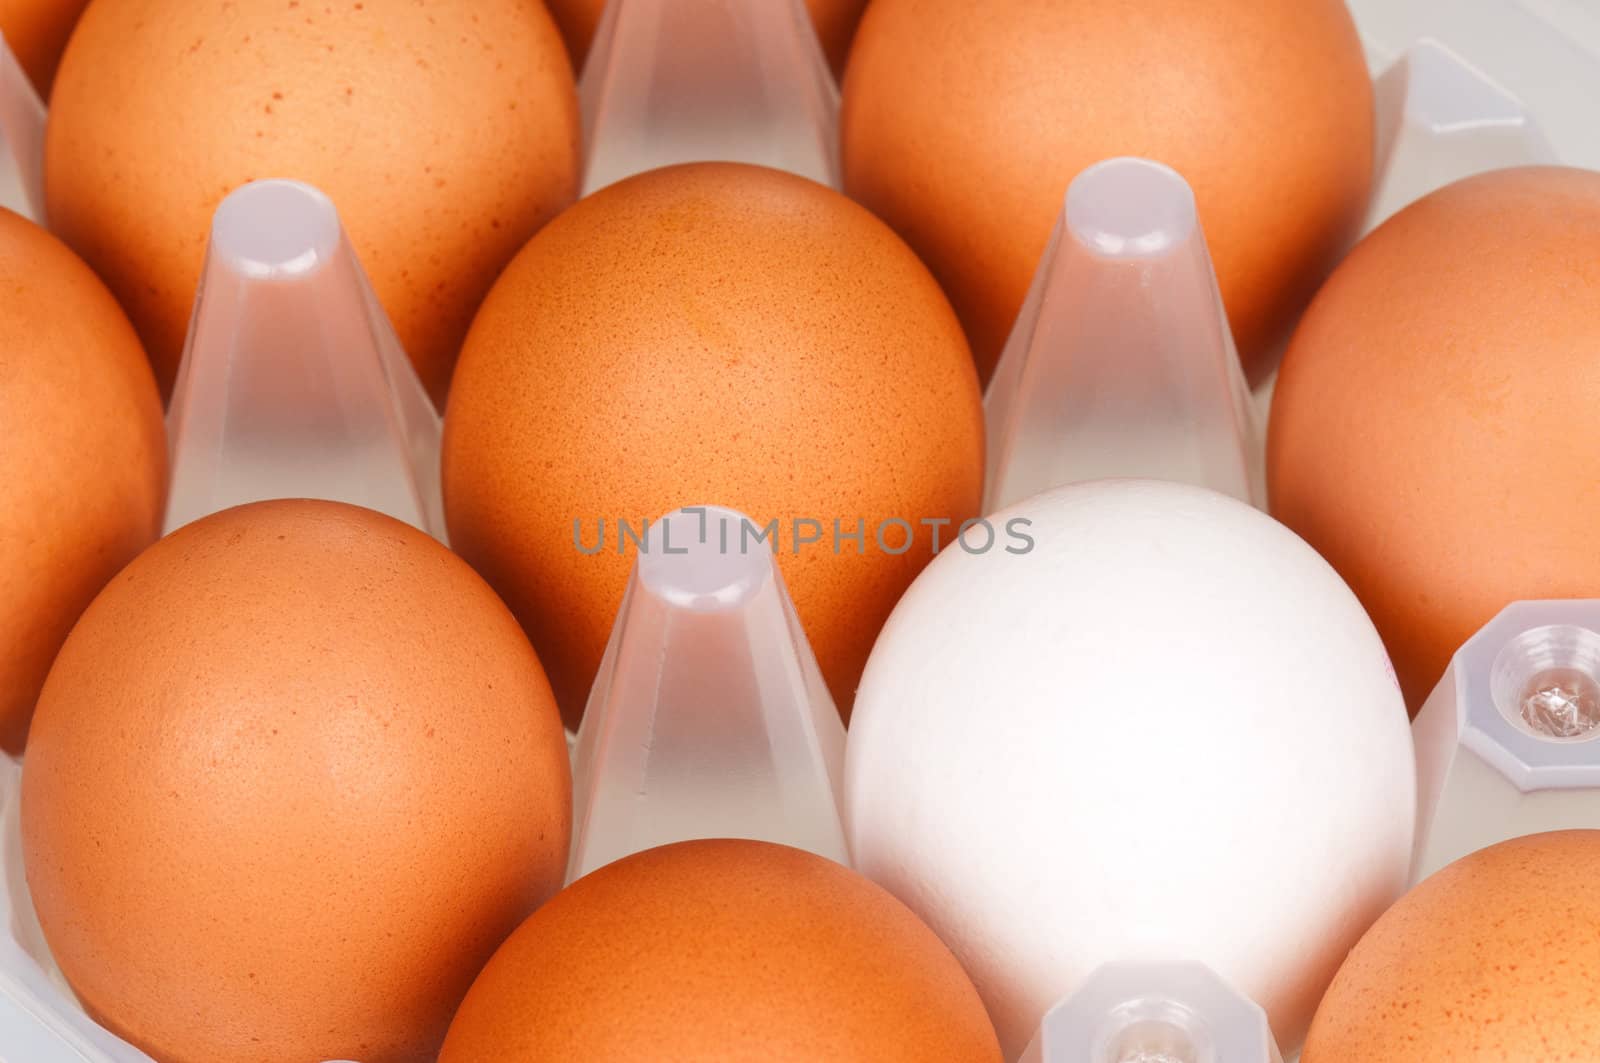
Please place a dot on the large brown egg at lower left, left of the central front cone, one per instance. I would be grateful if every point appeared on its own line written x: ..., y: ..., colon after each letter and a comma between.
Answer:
x: 294, y: 779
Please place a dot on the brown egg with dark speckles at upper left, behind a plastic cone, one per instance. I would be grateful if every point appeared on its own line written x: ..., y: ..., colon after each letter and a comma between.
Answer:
x: 446, y: 135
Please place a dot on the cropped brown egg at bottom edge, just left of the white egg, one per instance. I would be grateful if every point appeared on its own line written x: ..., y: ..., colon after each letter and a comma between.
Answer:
x: 722, y: 952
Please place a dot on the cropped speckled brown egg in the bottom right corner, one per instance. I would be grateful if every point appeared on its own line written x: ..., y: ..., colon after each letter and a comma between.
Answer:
x: 1495, y: 960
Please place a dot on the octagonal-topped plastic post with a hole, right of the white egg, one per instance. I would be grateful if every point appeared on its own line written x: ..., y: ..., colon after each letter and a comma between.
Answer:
x: 1510, y: 740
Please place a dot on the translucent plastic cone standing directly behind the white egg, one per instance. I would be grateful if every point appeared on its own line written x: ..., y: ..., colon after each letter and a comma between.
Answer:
x: 1122, y: 363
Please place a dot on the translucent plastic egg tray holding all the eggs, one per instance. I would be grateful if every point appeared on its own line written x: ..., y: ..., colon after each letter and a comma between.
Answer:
x: 1463, y: 87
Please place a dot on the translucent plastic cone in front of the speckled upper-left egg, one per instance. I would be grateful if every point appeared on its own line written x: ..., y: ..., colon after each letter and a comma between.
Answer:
x: 294, y: 383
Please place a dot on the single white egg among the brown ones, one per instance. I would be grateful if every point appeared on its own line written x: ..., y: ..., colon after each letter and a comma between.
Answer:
x: 1169, y: 732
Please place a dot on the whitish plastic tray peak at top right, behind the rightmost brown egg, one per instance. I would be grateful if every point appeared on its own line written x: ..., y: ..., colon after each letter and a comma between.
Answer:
x: 1441, y: 121
